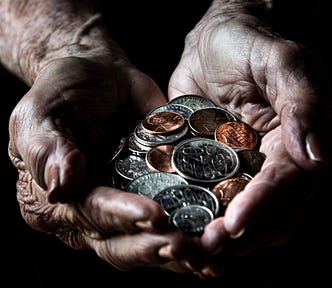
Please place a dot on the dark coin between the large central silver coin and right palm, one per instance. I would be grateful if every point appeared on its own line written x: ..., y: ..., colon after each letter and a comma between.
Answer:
x: 251, y: 161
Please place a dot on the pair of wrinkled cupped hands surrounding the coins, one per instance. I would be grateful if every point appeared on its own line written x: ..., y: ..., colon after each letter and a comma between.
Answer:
x: 61, y: 131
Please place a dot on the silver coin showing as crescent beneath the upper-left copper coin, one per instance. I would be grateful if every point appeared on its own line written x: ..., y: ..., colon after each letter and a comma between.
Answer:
x: 151, y: 140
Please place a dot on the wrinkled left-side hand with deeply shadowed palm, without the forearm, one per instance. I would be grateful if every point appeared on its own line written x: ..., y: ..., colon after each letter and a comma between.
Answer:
x: 59, y: 135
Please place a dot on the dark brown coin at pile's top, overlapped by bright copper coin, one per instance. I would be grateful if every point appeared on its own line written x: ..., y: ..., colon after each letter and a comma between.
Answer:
x: 204, y: 122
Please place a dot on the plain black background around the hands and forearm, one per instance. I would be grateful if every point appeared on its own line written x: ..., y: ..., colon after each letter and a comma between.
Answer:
x: 153, y: 34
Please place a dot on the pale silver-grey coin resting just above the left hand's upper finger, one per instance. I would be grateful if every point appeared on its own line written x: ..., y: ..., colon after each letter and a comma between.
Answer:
x: 150, y: 184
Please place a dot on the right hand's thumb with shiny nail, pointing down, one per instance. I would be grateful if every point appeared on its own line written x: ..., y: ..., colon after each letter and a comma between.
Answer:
x: 302, y: 105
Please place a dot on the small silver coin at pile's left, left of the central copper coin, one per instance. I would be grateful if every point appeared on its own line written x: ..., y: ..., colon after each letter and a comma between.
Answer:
x: 131, y: 166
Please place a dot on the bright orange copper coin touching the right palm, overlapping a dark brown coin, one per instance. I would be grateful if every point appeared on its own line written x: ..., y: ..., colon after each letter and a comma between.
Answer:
x: 236, y: 134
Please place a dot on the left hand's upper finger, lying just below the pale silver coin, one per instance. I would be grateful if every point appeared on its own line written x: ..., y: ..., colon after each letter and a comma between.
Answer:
x: 111, y: 210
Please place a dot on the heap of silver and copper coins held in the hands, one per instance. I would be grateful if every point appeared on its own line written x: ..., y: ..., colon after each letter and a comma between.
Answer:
x: 189, y: 155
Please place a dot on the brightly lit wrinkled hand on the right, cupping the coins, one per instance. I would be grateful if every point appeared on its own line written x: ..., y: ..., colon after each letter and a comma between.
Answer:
x: 273, y: 85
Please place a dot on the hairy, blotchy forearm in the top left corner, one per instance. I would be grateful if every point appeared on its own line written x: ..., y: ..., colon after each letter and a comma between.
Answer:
x: 35, y: 32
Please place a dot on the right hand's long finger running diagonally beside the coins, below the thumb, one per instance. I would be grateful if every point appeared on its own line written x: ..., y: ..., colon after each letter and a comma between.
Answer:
x: 279, y: 185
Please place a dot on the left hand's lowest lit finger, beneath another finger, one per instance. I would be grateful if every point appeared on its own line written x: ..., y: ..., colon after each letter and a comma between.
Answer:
x: 127, y: 252
